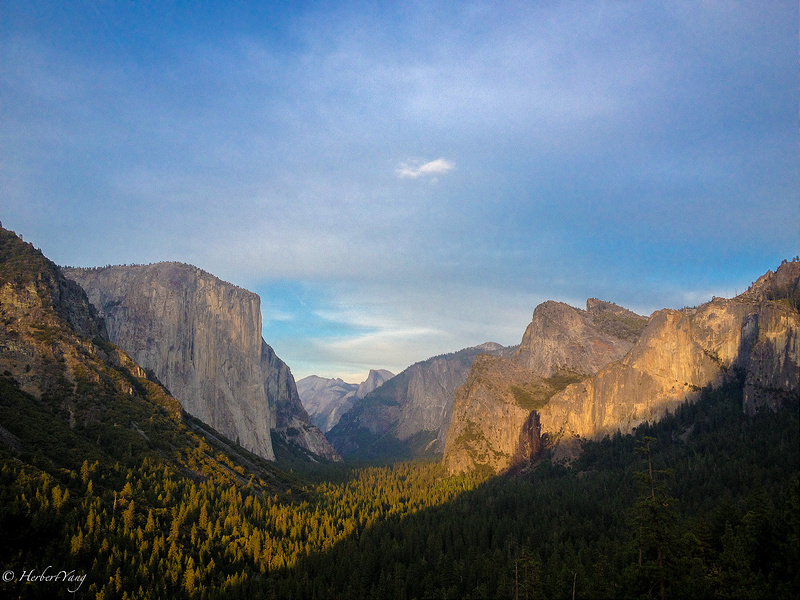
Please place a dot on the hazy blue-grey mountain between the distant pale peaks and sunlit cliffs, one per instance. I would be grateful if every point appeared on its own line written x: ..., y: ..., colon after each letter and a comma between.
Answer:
x: 410, y: 413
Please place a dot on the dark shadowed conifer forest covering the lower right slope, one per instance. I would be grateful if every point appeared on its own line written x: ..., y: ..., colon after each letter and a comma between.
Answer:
x: 733, y: 529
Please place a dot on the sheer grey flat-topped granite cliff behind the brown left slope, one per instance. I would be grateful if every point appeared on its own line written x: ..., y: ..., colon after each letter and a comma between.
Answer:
x: 202, y: 338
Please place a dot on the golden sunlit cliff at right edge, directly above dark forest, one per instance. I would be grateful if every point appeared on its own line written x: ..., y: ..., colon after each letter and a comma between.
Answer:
x: 681, y: 352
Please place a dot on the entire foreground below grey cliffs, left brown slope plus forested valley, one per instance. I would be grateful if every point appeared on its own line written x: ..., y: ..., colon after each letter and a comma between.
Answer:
x: 104, y: 479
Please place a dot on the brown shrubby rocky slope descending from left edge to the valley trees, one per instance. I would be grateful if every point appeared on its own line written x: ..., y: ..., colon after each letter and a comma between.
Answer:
x: 68, y: 396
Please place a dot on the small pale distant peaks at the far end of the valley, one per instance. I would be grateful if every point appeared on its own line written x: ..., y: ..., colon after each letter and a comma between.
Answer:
x: 326, y: 400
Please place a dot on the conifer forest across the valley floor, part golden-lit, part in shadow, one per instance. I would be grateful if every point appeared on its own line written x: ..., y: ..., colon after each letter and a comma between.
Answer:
x: 720, y: 519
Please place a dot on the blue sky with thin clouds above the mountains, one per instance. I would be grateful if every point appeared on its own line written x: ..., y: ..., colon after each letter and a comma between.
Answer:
x: 397, y: 180
